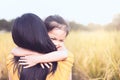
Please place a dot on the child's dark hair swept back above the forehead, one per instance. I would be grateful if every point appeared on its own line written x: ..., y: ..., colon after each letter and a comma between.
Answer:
x: 58, y: 19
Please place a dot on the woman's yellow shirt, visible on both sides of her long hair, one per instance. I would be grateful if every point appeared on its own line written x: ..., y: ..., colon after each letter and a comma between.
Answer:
x: 63, y: 71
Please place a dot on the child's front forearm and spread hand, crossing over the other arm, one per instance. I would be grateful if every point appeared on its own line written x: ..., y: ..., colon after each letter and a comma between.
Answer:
x: 32, y: 60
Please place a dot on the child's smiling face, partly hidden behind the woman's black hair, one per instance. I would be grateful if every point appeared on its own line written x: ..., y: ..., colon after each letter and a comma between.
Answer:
x: 57, y: 36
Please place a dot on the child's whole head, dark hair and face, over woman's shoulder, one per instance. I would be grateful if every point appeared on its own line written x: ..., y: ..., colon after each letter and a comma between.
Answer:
x: 58, y: 29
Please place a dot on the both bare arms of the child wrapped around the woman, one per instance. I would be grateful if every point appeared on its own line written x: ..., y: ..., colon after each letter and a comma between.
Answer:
x: 31, y: 58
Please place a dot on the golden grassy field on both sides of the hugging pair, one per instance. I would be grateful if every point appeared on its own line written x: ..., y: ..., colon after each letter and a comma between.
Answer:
x: 97, y: 54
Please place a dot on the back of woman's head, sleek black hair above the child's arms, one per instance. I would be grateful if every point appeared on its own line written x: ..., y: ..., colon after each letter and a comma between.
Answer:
x: 29, y: 32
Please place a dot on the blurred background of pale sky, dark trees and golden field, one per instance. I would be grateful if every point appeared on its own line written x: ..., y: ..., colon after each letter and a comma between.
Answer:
x: 94, y: 38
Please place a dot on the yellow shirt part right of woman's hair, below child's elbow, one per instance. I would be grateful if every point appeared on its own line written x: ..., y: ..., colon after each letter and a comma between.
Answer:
x: 64, y: 69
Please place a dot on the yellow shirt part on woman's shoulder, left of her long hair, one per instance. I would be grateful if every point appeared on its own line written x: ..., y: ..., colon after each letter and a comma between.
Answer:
x: 10, y: 66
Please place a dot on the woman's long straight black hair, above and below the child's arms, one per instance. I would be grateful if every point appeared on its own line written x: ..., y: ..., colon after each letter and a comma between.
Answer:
x: 29, y: 32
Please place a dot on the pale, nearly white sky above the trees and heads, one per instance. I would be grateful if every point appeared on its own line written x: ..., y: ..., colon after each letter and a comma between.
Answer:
x: 80, y: 11
